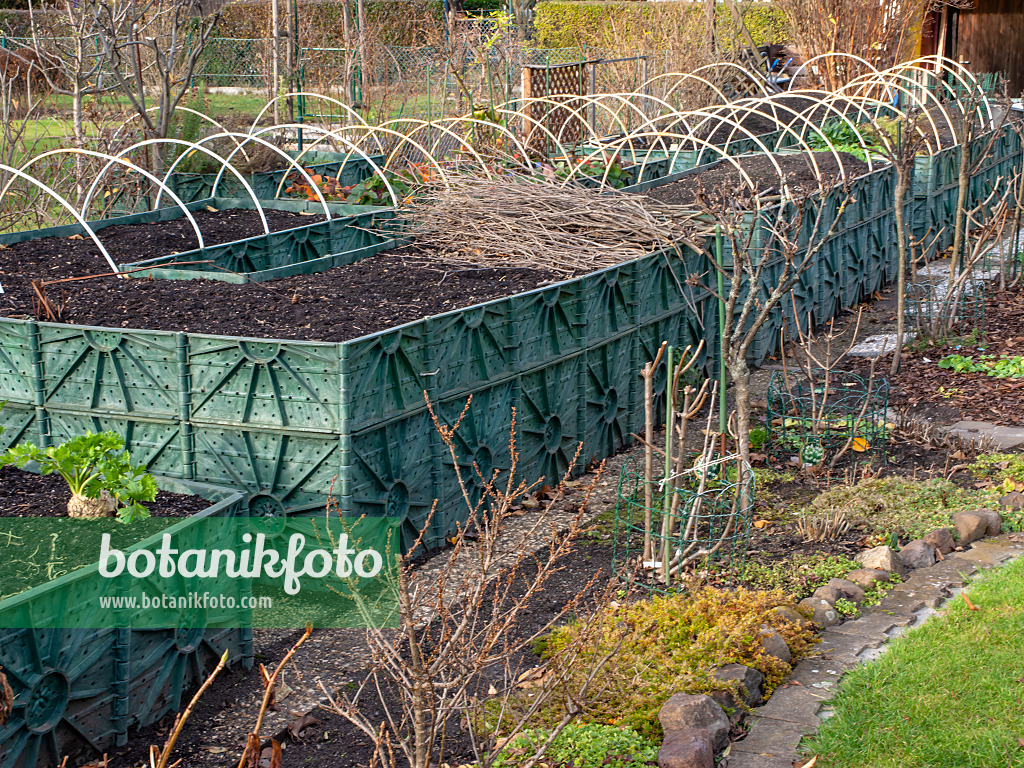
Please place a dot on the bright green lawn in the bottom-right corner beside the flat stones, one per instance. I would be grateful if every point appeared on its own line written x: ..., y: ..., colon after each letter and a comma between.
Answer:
x: 949, y: 694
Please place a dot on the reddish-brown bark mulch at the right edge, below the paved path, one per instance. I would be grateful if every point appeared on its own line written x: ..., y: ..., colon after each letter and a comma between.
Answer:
x: 976, y: 397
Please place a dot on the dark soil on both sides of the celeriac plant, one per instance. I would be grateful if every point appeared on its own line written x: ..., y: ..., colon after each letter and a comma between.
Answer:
x: 28, y: 495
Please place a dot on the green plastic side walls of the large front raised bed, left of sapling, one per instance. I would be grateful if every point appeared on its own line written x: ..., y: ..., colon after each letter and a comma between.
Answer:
x: 282, y: 419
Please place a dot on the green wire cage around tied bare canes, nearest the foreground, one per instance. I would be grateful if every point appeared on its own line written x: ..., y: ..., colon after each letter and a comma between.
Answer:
x: 700, y: 520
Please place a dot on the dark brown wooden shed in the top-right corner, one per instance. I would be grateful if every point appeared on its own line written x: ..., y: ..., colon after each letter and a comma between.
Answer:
x: 985, y: 35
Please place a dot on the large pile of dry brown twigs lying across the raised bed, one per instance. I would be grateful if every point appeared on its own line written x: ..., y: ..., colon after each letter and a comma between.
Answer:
x: 515, y: 223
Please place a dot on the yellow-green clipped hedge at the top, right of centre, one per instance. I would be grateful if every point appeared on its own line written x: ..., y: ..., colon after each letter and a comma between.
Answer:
x: 602, y: 25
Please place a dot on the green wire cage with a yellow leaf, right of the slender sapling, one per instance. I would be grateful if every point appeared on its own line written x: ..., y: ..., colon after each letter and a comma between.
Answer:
x: 830, y: 417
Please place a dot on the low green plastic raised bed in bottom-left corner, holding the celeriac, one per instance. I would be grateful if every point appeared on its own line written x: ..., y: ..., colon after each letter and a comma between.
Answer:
x: 78, y: 693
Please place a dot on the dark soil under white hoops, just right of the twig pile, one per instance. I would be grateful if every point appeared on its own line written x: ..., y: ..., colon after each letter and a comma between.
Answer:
x: 726, y: 180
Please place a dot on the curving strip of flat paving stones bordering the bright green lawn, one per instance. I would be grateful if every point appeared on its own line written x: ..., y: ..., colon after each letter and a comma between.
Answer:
x: 798, y: 707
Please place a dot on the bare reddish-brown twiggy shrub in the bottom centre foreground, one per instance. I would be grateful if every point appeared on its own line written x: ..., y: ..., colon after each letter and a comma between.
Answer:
x: 463, y: 652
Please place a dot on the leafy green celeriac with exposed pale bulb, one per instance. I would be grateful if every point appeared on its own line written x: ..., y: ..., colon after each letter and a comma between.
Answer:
x: 100, y: 474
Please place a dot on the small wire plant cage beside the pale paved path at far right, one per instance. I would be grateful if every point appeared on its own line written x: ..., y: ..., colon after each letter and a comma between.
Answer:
x: 932, y: 312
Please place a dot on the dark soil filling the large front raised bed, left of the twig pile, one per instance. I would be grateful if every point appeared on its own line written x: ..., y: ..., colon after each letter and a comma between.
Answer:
x: 375, y: 294
